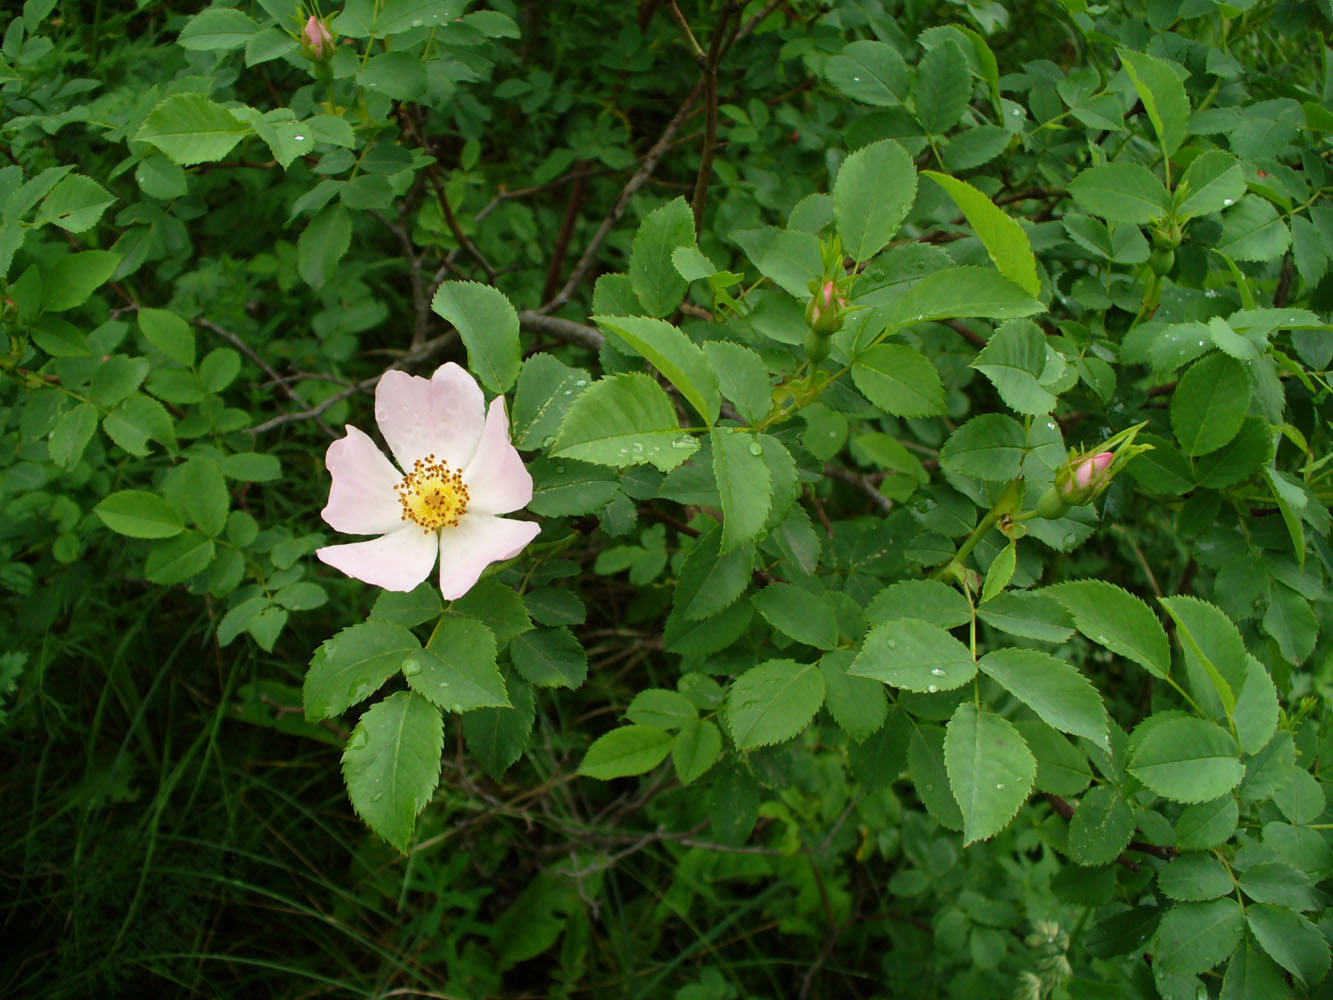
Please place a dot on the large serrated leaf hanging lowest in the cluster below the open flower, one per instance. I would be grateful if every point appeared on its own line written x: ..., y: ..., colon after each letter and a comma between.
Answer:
x: 393, y: 765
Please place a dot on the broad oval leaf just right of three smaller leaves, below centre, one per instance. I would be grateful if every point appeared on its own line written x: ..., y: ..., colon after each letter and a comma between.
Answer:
x: 774, y: 702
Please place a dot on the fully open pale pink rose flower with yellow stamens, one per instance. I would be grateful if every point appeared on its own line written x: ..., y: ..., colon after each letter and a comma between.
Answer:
x: 462, y: 473
